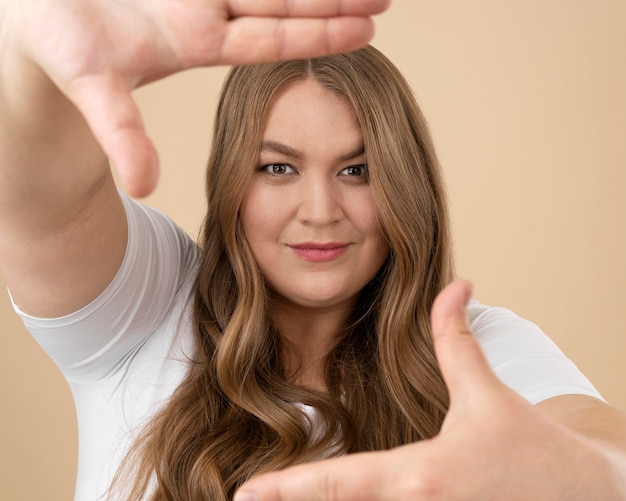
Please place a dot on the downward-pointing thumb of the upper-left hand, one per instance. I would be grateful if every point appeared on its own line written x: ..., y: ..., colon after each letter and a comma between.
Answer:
x: 115, y: 121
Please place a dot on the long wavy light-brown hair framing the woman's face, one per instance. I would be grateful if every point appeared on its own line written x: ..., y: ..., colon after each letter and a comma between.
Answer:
x: 236, y: 414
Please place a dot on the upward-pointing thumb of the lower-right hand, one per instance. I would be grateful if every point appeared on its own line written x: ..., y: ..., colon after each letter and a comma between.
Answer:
x: 463, y: 365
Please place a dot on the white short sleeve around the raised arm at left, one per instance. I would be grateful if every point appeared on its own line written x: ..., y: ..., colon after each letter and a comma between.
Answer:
x: 92, y: 343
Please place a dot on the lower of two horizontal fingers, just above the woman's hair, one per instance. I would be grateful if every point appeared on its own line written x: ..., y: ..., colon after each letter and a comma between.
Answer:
x: 252, y: 40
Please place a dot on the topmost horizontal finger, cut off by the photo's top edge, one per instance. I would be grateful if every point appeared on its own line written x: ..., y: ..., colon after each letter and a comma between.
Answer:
x: 307, y: 8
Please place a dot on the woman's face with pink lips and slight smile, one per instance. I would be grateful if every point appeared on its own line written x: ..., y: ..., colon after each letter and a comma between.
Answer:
x: 308, y: 214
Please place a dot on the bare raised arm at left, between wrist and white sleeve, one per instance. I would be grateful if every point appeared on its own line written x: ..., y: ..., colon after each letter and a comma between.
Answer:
x: 62, y: 227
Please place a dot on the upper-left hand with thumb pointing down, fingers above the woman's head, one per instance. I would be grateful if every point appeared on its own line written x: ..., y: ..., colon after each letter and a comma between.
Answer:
x: 98, y: 51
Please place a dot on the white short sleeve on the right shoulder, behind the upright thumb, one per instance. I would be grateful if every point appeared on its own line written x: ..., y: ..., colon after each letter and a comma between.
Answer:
x: 525, y: 358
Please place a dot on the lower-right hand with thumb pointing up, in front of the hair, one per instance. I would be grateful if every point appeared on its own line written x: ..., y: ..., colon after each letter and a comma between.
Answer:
x: 493, y: 444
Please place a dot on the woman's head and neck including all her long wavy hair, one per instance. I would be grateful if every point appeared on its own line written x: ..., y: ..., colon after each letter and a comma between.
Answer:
x: 308, y: 261
